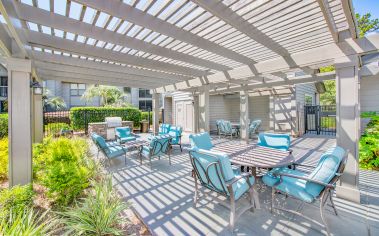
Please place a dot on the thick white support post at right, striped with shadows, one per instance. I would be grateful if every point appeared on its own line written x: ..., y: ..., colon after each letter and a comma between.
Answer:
x: 348, y: 125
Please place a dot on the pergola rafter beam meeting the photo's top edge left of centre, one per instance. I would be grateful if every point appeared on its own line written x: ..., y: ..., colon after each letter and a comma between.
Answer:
x: 128, y: 13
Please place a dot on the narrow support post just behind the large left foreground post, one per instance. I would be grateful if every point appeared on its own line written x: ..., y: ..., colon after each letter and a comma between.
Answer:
x: 37, y: 118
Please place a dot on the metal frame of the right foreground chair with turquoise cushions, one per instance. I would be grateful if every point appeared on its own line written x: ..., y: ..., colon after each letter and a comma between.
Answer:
x: 325, y: 194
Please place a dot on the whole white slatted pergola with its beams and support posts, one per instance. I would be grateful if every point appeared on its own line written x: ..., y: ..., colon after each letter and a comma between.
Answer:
x: 198, y: 46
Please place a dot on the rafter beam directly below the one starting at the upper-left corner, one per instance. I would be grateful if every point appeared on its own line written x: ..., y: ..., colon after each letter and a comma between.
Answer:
x: 41, y: 39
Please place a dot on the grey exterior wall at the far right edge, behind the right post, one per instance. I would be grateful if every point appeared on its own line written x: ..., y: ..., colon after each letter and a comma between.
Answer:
x: 369, y: 92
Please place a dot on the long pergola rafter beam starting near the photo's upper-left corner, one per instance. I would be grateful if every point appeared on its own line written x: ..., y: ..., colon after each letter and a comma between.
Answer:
x: 56, y: 21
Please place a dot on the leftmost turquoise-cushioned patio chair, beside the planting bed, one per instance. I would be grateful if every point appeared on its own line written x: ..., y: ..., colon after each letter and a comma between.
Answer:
x: 109, y: 149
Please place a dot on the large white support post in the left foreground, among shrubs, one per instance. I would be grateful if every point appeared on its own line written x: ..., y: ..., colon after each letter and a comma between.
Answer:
x: 20, y: 121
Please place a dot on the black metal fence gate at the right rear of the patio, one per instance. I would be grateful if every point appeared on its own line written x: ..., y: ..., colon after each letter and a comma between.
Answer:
x: 320, y: 119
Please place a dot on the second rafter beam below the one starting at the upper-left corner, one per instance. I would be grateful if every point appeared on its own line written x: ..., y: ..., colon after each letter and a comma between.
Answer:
x: 58, y: 59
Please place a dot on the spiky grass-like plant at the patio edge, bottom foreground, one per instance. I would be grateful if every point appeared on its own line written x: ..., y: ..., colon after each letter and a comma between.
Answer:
x: 97, y: 214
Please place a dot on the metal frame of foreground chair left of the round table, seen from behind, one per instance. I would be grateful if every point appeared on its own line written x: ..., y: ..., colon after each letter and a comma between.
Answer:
x: 226, y: 192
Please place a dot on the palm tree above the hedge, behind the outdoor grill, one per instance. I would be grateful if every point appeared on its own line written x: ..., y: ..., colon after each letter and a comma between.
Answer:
x: 109, y: 95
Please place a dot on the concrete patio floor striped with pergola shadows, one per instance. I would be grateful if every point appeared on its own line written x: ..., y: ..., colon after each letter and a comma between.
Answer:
x: 162, y: 197
